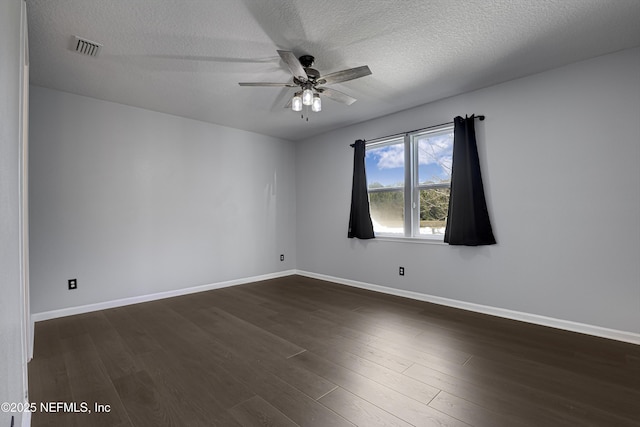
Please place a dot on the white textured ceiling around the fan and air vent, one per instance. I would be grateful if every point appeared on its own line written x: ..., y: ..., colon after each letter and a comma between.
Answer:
x: 187, y: 57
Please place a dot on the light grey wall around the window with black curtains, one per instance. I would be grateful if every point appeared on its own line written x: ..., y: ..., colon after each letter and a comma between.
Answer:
x: 561, y: 155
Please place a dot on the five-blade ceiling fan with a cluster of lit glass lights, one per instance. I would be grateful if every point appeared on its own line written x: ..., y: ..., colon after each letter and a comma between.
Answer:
x: 311, y: 83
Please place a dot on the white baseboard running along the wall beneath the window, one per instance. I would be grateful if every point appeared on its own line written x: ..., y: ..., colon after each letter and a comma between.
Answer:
x: 582, y: 328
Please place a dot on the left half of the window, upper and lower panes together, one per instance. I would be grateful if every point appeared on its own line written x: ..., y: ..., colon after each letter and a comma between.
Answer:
x: 385, y: 175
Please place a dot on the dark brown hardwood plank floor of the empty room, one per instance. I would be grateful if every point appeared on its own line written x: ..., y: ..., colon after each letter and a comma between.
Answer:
x: 299, y: 351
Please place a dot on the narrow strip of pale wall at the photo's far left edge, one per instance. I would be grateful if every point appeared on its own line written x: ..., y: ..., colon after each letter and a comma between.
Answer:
x: 12, y: 358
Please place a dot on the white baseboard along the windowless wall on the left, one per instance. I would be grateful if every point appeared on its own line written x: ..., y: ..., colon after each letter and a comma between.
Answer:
x: 70, y: 311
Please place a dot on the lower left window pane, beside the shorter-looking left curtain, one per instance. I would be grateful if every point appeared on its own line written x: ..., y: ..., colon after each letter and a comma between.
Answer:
x: 387, y: 211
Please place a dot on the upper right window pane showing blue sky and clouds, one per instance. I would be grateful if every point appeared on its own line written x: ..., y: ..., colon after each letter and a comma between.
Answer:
x: 435, y: 156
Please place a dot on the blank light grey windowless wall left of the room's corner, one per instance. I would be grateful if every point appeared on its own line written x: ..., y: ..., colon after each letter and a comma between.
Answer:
x: 133, y: 202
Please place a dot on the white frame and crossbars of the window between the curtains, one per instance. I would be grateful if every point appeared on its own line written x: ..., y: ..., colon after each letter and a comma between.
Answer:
x: 412, y: 186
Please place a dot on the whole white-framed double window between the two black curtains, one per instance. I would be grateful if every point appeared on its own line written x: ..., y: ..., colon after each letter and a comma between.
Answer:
x: 409, y: 181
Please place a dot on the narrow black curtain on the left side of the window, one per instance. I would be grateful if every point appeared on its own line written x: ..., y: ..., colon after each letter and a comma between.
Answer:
x: 360, y: 225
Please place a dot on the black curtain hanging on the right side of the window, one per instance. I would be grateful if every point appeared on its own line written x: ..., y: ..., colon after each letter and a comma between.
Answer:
x: 468, y: 219
